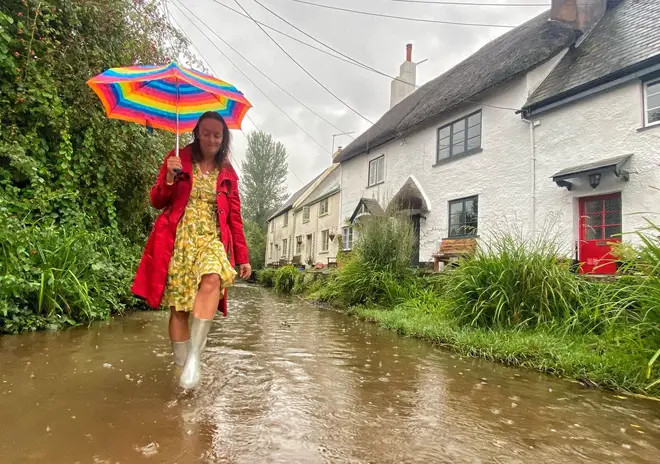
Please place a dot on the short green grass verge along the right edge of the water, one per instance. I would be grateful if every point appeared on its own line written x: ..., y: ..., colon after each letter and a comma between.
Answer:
x: 592, y: 360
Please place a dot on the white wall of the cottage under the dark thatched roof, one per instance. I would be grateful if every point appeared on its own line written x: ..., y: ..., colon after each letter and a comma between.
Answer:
x: 499, y: 174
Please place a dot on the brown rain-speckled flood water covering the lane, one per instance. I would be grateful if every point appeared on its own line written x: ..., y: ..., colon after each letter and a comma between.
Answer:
x: 285, y: 382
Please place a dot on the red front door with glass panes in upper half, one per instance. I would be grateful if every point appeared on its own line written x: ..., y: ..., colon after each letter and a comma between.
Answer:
x: 600, y: 225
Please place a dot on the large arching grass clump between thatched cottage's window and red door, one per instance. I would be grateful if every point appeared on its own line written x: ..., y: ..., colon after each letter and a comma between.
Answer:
x: 512, y: 281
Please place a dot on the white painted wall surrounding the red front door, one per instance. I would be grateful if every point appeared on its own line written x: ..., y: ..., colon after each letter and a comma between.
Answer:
x: 602, y: 126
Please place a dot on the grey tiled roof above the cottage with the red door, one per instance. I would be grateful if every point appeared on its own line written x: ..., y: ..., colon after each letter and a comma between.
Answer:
x: 626, y: 36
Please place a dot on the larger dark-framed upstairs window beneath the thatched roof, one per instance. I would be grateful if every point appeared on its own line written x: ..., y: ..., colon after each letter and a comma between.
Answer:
x: 461, y: 137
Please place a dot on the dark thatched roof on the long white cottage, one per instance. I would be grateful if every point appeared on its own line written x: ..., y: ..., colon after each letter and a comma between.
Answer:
x: 499, y: 61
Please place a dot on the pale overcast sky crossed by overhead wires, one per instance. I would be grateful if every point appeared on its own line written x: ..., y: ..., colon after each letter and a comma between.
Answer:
x: 377, y: 42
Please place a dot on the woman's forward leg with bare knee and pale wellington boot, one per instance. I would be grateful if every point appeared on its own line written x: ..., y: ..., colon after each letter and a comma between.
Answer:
x: 204, y: 308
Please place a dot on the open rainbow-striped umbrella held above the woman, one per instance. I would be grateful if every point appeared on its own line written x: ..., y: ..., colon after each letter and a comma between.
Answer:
x: 168, y: 97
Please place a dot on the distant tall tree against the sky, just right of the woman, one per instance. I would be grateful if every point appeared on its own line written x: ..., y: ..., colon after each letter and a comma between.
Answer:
x: 263, y: 189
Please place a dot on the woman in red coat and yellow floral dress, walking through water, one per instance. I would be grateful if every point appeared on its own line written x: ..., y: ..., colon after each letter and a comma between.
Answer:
x: 196, y: 241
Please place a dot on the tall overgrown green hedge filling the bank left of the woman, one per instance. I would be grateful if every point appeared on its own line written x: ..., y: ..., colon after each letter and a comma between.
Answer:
x: 74, y: 185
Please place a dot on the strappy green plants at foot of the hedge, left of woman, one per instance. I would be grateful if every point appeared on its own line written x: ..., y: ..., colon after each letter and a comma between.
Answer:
x: 55, y: 275
